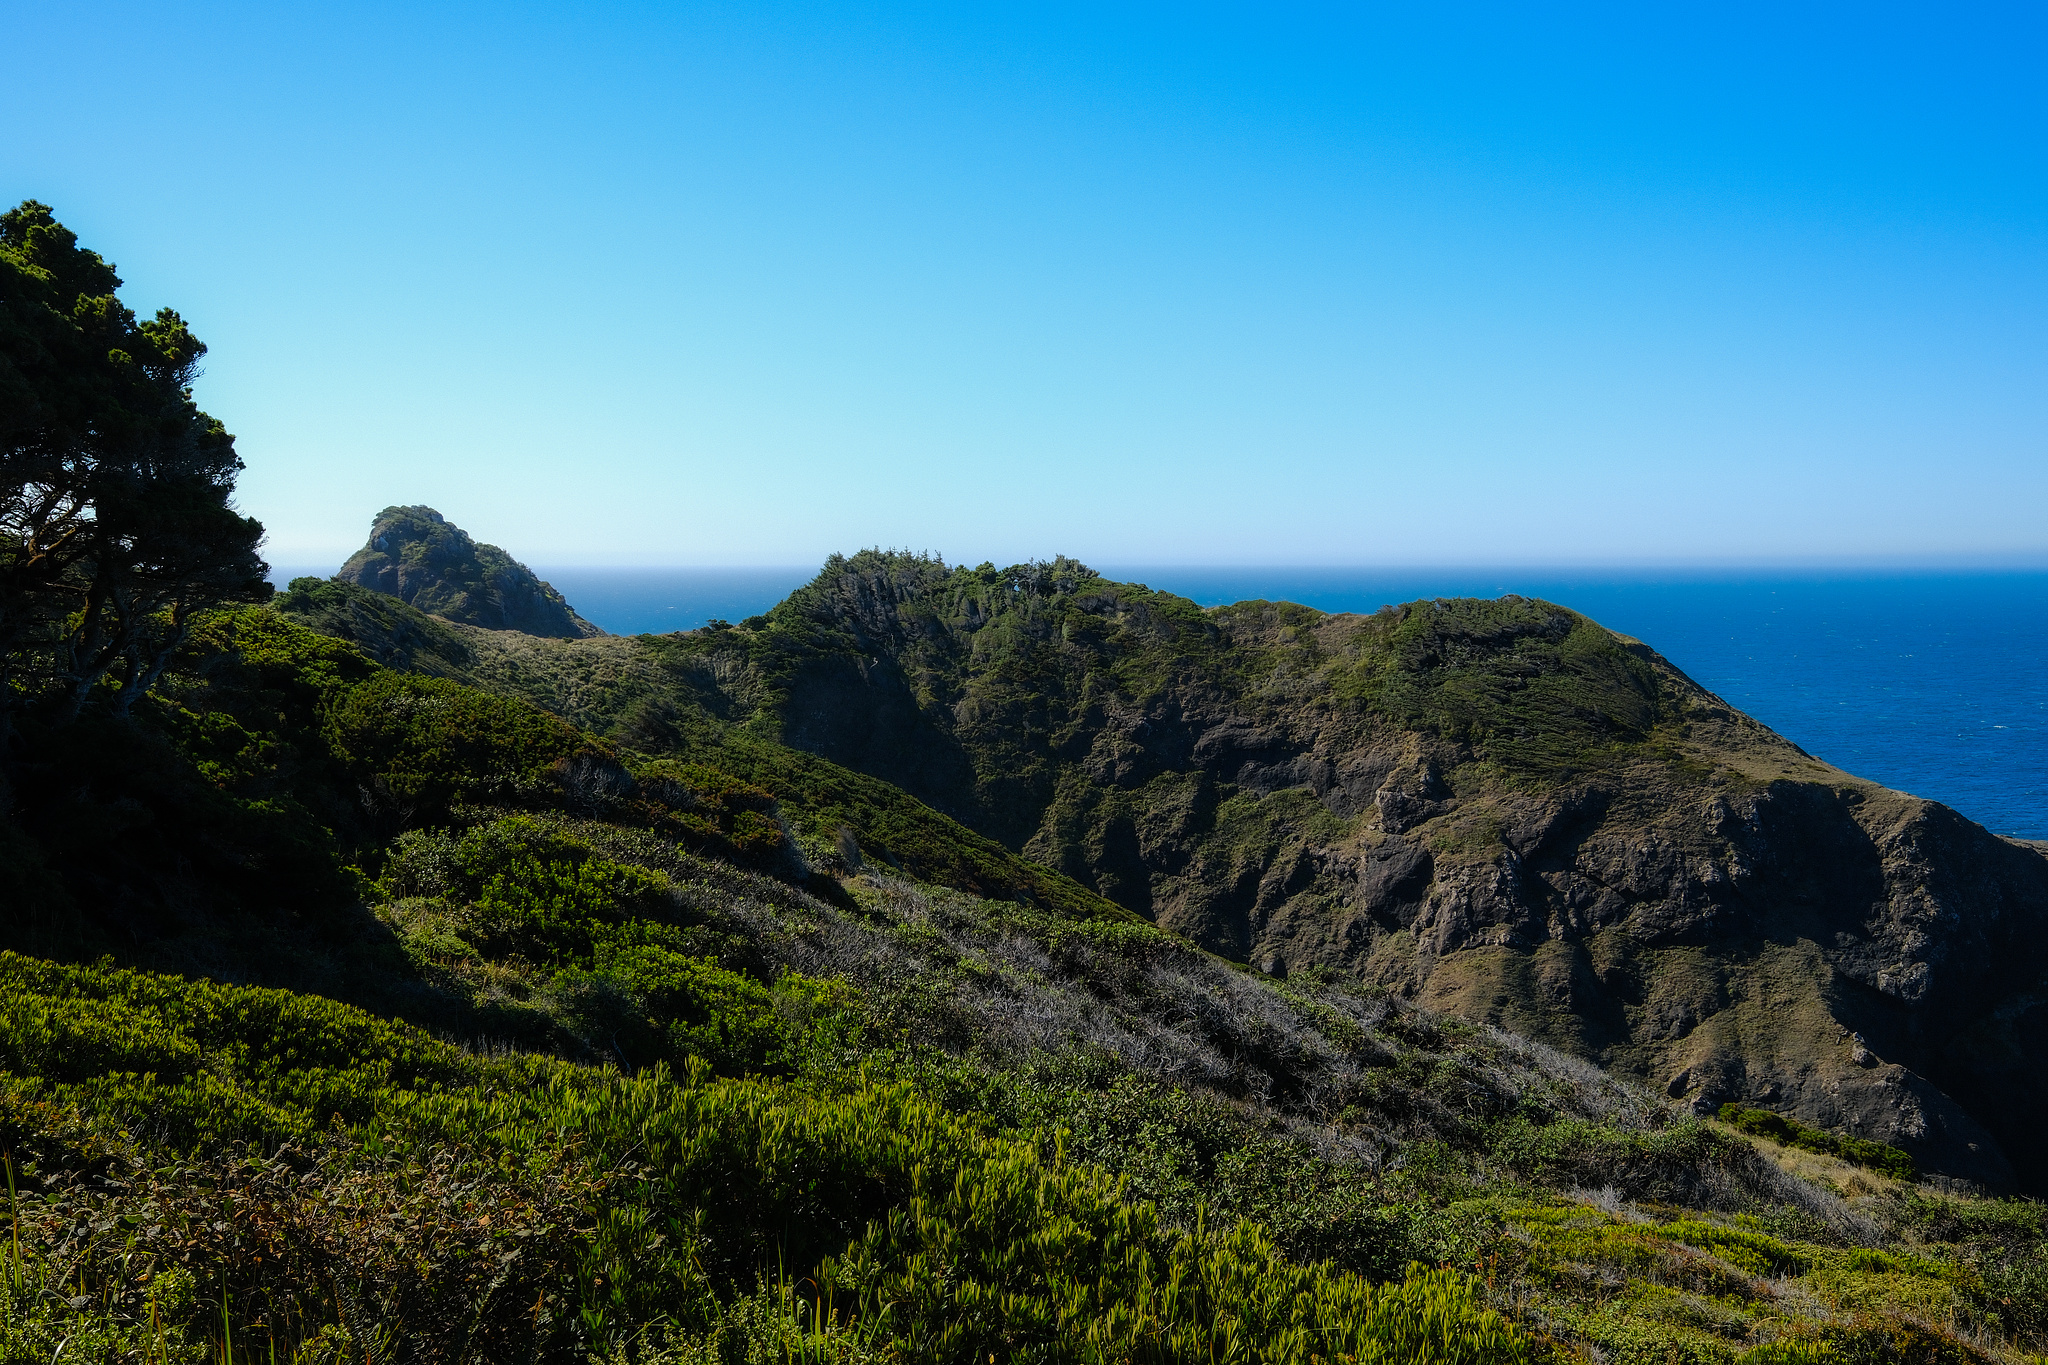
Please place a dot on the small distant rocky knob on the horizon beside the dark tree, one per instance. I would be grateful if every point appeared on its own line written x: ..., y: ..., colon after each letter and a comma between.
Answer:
x: 433, y: 566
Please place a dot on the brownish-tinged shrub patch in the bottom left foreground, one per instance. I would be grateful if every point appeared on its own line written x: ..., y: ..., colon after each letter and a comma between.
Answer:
x: 331, y: 1251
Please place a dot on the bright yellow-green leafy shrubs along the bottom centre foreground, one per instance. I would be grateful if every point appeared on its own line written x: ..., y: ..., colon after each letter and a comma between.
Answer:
x: 947, y: 1243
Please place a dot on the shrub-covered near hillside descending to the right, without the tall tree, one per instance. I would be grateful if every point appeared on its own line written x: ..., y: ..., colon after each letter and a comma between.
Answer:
x: 519, y: 899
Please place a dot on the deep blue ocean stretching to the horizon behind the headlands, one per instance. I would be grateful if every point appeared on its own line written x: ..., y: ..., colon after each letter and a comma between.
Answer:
x: 1928, y: 682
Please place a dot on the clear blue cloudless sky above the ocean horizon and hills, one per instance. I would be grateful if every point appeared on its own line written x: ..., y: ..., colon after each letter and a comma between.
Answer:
x: 749, y: 283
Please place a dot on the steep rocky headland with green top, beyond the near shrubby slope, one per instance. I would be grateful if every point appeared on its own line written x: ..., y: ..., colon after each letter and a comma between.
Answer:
x: 1496, y: 807
